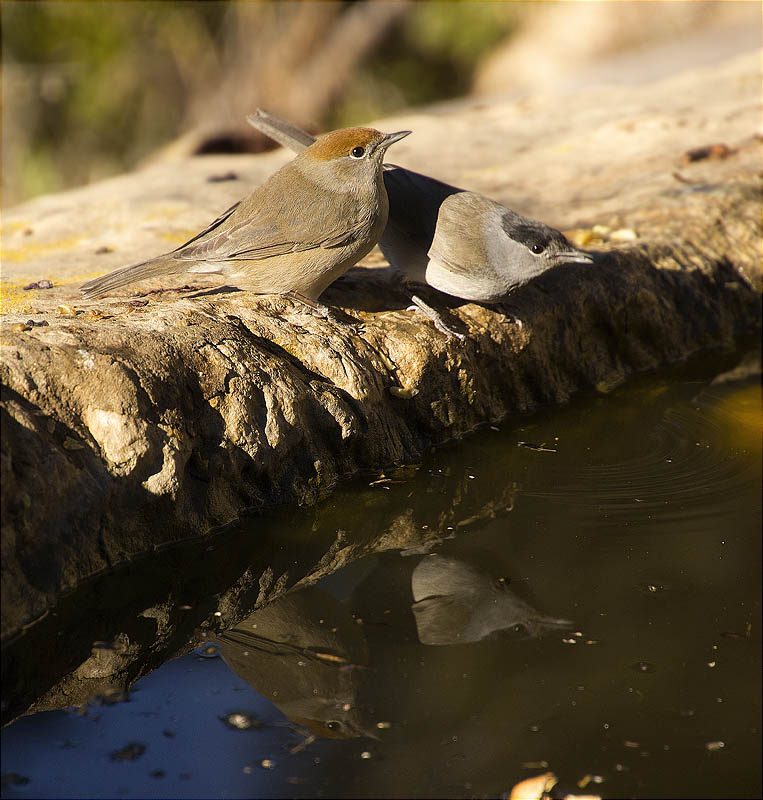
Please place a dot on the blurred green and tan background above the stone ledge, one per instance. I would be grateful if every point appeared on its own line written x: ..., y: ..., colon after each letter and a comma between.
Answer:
x: 91, y: 89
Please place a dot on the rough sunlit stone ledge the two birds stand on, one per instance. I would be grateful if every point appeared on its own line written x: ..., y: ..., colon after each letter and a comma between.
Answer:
x: 127, y: 425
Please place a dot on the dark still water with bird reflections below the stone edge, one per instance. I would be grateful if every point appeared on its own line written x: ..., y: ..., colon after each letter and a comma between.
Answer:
x: 634, y: 516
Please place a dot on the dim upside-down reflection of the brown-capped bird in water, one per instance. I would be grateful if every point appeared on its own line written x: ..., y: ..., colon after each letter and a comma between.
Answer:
x: 305, y: 654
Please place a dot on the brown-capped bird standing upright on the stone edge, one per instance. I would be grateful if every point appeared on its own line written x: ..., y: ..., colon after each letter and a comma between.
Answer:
x: 299, y: 231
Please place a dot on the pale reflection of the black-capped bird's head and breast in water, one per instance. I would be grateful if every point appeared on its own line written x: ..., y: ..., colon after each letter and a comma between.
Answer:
x: 457, y: 601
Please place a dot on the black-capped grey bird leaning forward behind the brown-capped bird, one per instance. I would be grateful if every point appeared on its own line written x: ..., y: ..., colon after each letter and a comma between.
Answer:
x: 459, y: 242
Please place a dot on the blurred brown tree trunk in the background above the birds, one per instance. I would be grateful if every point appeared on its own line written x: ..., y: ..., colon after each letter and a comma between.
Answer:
x: 291, y: 58
